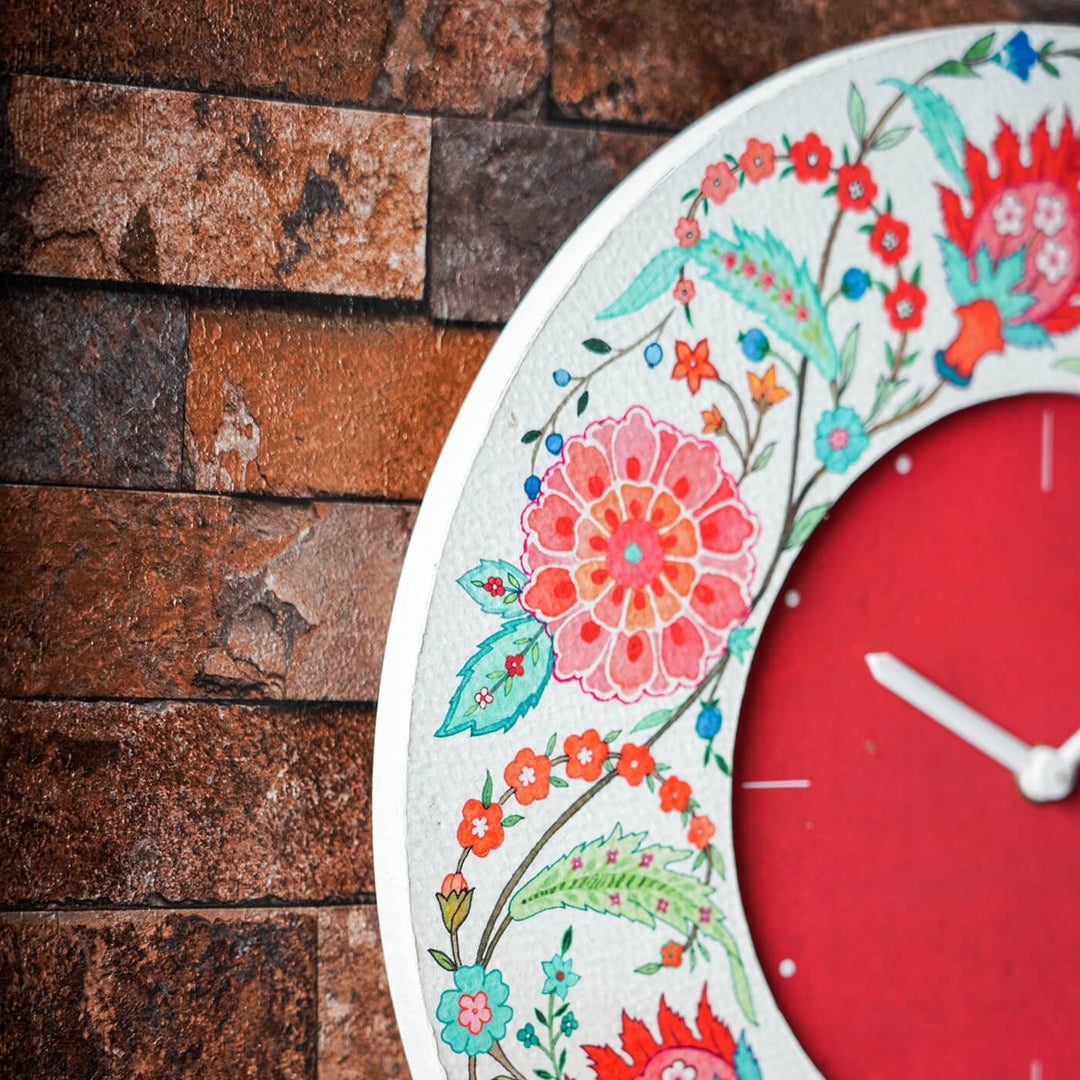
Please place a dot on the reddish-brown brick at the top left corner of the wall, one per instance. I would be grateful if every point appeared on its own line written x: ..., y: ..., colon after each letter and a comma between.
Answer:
x: 487, y: 60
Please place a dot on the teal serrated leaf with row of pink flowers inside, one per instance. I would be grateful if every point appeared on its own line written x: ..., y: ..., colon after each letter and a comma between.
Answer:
x: 727, y: 265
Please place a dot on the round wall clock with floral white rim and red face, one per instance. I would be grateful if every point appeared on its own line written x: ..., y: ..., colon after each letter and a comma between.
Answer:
x: 802, y: 390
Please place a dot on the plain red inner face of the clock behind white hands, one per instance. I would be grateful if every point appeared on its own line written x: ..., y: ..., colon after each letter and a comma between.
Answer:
x: 914, y: 914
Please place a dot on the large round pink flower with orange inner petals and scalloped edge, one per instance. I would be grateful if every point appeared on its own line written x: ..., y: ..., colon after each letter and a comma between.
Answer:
x: 641, y: 555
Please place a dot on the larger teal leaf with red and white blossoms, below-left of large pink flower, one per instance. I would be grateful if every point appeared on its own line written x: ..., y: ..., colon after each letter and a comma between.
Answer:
x: 465, y: 714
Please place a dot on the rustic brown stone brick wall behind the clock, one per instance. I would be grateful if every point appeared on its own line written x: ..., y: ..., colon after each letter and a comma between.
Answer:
x: 253, y: 256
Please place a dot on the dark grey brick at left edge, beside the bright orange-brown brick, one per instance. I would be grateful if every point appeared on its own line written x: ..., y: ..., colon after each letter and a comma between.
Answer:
x: 91, y: 387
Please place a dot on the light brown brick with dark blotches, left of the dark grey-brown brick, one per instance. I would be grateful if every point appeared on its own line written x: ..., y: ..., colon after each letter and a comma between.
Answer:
x: 196, y: 191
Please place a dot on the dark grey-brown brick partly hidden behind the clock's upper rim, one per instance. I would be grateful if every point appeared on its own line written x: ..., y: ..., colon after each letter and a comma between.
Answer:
x: 504, y: 198
